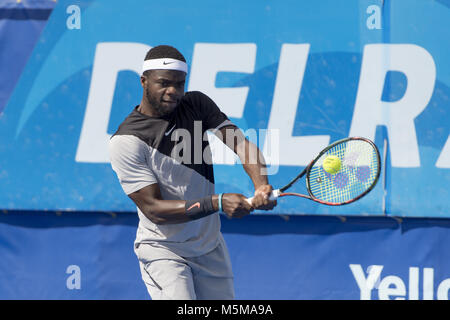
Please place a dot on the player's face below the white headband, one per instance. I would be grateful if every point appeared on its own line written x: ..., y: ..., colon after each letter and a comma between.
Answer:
x: 164, y: 90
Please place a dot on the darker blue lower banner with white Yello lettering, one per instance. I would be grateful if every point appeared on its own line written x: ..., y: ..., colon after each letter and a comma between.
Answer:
x: 90, y: 256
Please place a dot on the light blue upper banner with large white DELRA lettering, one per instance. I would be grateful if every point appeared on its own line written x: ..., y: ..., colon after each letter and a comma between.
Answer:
x: 293, y: 75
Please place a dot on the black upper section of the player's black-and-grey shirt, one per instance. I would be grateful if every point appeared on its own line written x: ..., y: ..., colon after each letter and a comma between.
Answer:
x: 184, y: 128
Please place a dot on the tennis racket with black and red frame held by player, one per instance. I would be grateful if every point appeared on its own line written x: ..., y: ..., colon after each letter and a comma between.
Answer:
x: 360, y: 168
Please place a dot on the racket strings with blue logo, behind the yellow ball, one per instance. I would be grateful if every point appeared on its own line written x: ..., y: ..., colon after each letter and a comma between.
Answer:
x: 359, y: 169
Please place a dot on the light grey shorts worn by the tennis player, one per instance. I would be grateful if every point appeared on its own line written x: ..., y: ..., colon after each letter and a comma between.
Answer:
x: 168, y: 276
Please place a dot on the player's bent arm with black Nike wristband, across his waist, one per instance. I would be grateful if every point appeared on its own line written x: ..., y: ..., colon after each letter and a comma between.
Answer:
x: 160, y: 211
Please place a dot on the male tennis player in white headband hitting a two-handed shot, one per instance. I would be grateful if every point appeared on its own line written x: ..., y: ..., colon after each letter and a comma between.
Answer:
x: 169, y: 176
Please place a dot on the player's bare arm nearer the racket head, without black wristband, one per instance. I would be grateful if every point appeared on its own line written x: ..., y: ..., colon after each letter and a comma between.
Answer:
x: 253, y: 162
